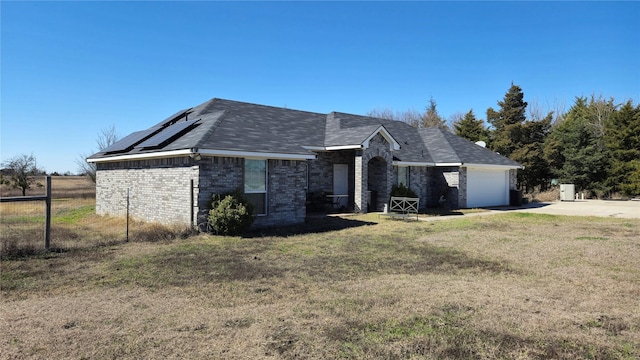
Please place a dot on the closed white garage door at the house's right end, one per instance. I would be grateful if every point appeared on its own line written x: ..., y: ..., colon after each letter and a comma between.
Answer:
x: 487, y: 187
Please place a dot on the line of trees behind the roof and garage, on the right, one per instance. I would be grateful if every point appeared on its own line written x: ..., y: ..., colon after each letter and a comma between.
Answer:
x: 594, y: 145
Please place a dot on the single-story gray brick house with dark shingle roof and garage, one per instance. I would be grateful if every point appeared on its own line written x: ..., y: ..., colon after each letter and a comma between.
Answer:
x: 285, y: 161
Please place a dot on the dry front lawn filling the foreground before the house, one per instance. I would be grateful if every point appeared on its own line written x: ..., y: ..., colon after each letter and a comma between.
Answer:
x: 516, y: 285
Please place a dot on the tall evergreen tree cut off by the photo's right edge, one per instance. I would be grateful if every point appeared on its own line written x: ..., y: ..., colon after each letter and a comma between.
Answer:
x: 622, y: 139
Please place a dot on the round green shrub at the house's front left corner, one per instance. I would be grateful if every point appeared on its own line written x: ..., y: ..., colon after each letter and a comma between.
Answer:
x: 230, y: 214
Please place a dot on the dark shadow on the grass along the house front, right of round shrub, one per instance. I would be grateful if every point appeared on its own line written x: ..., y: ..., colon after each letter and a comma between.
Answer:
x: 313, y: 224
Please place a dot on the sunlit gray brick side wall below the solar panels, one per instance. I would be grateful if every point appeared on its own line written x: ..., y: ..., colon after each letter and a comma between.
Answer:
x: 159, y: 190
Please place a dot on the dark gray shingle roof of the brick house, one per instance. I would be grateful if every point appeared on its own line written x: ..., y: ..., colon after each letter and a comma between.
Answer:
x: 226, y: 125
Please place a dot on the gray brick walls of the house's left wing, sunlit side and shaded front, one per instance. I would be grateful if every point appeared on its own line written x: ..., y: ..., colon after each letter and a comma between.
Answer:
x: 160, y: 190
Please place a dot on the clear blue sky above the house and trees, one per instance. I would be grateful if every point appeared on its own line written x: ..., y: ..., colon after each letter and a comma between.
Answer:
x: 71, y: 69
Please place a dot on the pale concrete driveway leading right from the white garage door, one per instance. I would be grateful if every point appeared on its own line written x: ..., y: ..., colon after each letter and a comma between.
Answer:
x: 602, y: 208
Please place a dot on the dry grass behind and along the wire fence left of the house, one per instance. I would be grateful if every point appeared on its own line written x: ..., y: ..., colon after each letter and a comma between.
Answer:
x: 74, y: 224
